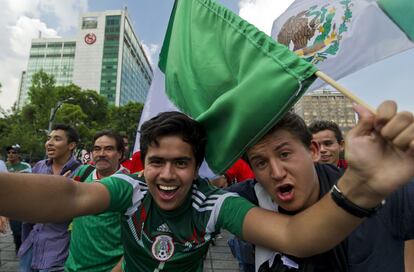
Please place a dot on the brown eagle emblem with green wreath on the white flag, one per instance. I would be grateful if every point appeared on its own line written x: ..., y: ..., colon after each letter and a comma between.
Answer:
x: 316, y: 33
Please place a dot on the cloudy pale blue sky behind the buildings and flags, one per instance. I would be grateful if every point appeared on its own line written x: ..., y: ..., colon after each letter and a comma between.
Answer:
x: 21, y: 20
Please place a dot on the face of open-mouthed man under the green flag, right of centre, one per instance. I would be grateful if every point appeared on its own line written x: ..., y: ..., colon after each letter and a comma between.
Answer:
x: 284, y: 167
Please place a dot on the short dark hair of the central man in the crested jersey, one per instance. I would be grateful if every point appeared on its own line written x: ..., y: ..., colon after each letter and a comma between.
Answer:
x: 173, y: 123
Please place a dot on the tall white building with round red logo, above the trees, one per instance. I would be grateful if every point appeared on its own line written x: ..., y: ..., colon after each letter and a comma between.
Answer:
x: 106, y: 56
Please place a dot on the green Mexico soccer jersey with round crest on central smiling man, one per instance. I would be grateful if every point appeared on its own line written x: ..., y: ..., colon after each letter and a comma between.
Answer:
x: 157, y: 240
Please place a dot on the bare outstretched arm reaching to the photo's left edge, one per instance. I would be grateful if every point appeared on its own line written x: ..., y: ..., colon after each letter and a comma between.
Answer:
x: 49, y: 198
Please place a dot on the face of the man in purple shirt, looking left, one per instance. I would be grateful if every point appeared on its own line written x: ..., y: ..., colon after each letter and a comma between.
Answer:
x: 58, y: 146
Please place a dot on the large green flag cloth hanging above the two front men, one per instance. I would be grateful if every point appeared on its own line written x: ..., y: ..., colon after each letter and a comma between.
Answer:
x: 234, y: 79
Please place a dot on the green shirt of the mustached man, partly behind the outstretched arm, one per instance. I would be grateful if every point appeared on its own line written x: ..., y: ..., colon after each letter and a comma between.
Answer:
x: 95, y: 244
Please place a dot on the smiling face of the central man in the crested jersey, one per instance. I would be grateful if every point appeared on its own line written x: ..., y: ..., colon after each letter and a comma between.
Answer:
x: 170, y: 169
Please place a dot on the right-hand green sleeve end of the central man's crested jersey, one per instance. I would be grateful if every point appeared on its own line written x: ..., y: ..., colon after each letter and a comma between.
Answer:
x: 232, y: 214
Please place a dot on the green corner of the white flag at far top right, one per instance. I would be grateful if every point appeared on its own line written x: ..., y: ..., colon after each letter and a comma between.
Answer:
x: 402, y: 13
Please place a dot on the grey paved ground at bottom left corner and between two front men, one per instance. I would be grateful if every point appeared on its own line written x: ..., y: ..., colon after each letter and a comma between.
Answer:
x: 219, y: 258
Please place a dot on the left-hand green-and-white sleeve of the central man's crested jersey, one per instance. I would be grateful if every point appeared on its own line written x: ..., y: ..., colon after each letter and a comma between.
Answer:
x: 125, y: 193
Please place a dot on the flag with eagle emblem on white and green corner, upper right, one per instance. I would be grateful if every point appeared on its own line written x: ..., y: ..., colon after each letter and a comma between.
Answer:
x: 343, y: 36
